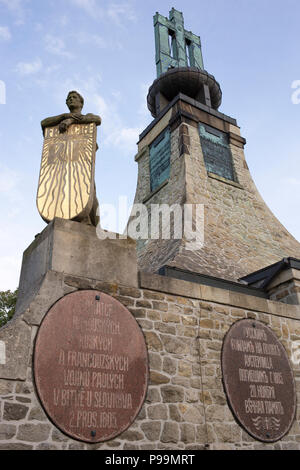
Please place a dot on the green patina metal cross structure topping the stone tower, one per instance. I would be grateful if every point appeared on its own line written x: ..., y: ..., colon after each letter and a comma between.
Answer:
x: 175, y: 47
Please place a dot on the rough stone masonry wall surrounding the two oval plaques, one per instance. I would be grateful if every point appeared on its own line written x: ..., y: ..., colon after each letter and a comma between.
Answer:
x: 184, y: 325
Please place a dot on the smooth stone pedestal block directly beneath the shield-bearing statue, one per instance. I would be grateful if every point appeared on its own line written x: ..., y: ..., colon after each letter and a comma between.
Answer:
x: 66, y: 248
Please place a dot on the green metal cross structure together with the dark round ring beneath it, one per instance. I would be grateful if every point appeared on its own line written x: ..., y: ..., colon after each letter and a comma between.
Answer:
x: 179, y: 66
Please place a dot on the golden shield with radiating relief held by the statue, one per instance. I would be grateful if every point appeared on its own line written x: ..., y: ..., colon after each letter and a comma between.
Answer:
x: 66, y: 183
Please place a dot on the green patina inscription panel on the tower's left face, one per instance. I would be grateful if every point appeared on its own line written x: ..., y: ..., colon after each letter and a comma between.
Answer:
x: 160, y: 151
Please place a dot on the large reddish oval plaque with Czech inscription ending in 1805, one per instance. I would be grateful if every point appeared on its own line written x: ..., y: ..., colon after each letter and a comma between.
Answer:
x: 90, y: 366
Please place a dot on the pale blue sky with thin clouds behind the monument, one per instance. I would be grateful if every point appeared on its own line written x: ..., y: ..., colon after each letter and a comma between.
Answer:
x: 105, y: 50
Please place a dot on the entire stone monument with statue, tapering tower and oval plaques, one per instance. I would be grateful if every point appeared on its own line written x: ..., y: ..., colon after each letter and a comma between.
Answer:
x: 155, y: 344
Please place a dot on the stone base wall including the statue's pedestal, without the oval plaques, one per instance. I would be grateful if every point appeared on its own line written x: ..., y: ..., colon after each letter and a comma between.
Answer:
x: 184, y: 325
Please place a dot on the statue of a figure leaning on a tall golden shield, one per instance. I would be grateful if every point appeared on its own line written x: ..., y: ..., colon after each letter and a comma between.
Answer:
x: 66, y: 184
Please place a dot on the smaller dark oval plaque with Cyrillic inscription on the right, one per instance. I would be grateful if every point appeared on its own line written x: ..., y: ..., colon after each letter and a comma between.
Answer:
x: 258, y: 380
